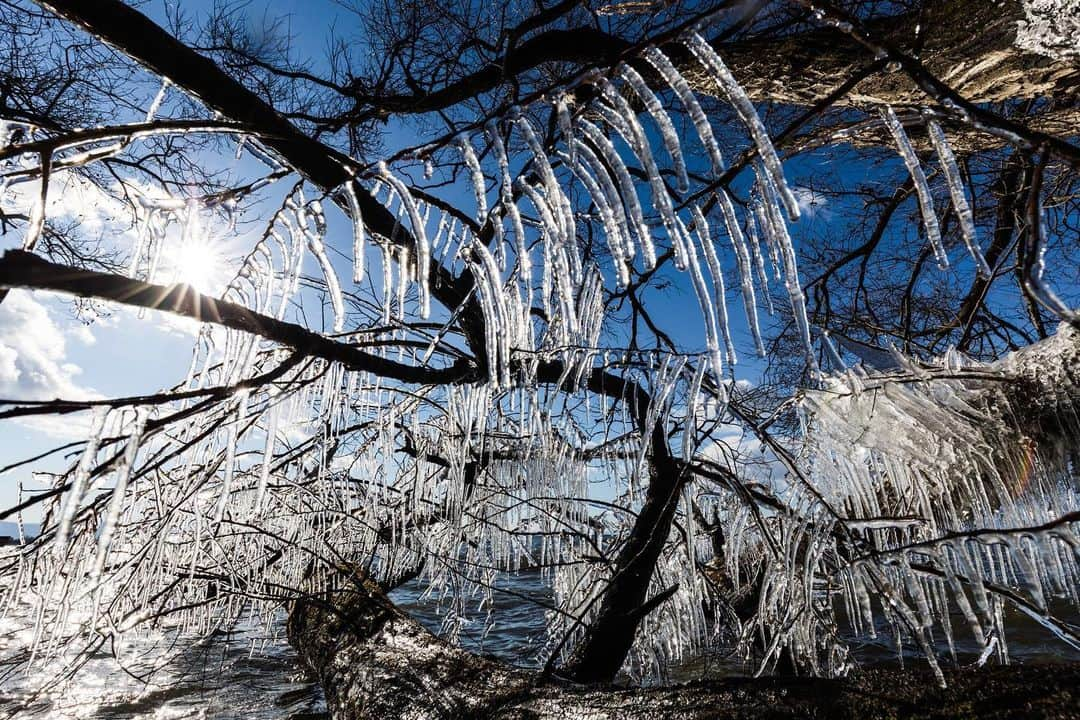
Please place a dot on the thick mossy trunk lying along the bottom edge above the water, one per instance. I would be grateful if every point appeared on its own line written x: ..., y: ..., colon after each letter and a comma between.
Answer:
x: 375, y: 663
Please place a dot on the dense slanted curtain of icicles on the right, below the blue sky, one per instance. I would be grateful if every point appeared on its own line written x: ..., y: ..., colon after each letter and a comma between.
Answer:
x: 949, y: 507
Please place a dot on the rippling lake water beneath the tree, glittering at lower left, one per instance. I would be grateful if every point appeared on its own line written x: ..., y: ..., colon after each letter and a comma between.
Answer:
x: 225, y: 680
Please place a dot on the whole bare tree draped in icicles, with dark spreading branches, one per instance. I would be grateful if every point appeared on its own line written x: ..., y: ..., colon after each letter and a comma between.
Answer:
x: 498, y: 383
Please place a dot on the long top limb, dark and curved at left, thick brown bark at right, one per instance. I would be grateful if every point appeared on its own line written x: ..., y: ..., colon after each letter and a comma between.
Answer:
x: 970, y: 45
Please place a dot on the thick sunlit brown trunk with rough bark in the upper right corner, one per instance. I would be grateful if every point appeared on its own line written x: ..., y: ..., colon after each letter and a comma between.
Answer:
x: 979, y: 48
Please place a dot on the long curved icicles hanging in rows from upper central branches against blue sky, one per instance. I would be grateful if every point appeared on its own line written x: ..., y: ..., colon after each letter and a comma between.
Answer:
x: 509, y: 276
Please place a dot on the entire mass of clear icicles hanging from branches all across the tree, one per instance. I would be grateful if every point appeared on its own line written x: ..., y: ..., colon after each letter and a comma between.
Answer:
x: 191, y: 514
